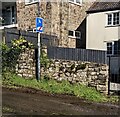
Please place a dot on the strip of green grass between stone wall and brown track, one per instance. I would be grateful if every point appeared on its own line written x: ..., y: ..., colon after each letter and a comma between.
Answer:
x: 52, y: 86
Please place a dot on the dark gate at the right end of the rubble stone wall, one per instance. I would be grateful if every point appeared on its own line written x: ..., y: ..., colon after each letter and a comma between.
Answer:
x: 114, y: 74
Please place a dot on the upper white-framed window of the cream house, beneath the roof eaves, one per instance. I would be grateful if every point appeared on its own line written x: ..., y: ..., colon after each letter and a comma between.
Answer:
x: 113, y: 19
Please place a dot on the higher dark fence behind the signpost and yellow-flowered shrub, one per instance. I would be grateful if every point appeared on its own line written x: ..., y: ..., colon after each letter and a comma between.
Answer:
x: 12, y: 33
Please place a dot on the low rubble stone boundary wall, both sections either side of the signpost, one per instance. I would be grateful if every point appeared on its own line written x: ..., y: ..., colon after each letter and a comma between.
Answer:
x: 89, y: 74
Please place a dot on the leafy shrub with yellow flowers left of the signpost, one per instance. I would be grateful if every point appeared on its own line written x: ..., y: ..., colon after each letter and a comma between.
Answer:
x: 10, y: 54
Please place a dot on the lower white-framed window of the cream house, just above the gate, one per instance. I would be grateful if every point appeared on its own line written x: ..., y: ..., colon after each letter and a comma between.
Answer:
x: 113, y: 48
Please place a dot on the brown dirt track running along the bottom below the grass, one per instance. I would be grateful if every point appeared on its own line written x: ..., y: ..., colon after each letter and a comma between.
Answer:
x: 32, y: 102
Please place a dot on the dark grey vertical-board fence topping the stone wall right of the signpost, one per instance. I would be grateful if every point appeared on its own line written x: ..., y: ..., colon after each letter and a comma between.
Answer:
x: 74, y: 54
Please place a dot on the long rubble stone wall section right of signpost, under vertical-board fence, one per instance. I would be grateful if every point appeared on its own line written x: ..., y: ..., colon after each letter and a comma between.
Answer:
x: 90, y: 74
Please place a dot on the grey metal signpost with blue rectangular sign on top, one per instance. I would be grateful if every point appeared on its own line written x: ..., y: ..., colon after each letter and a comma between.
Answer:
x: 39, y: 29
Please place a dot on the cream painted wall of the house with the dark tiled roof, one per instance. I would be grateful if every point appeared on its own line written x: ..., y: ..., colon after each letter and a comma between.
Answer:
x: 98, y: 32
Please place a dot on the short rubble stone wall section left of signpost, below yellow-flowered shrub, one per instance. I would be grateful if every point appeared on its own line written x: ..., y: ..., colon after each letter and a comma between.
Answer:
x: 26, y: 64
